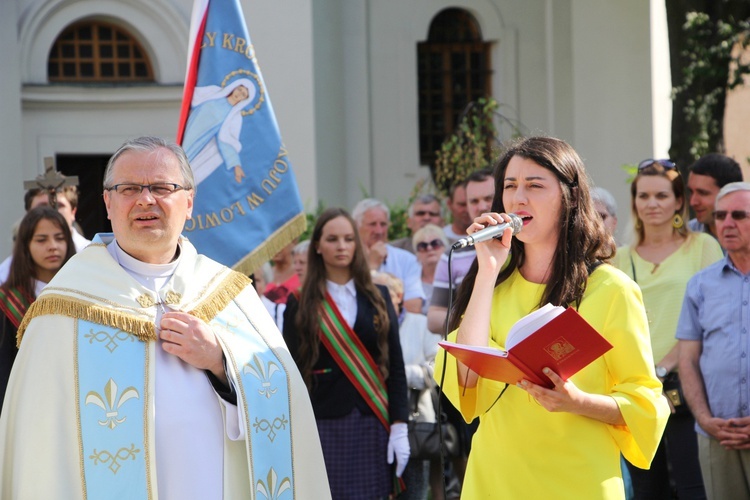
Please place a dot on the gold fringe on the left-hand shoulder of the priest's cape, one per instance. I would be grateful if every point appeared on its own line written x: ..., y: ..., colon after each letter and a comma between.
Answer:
x: 51, y: 304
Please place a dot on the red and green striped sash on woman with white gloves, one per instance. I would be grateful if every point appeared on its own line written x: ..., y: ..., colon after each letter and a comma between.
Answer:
x: 352, y: 356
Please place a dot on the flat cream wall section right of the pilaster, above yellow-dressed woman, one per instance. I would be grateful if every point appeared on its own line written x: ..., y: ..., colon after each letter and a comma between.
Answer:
x: 612, y: 96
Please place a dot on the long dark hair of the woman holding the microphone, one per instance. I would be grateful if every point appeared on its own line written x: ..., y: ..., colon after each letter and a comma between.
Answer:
x: 582, y: 238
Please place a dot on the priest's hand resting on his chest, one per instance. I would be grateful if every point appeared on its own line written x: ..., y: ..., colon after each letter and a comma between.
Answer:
x: 192, y: 340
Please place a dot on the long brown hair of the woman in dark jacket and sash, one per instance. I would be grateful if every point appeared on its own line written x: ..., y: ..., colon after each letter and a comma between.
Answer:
x: 313, y: 292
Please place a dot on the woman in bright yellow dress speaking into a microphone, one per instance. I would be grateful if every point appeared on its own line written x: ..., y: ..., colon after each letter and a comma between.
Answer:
x: 563, y: 442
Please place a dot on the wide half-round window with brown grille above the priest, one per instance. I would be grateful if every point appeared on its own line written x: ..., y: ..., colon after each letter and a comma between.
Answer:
x: 96, y: 51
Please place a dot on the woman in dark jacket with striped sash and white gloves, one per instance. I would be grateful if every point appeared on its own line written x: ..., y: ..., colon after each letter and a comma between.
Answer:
x: 342, y: 332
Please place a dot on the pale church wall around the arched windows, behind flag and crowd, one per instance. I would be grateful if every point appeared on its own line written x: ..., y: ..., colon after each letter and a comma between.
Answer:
x: 342, y: 76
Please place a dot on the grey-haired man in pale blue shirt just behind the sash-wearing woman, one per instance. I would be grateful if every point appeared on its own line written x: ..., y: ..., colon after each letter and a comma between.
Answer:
x: 373, y: 217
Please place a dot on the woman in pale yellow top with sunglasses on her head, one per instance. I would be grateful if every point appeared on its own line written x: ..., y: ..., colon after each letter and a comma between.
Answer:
x: 664, y: 256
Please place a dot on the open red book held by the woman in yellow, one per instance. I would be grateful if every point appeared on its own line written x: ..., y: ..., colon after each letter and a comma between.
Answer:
x: 552, y: 336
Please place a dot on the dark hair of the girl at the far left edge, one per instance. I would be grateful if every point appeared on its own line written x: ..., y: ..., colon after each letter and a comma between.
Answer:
x: 23, y: 270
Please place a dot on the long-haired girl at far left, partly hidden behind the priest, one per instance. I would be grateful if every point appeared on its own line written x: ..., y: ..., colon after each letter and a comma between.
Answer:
x: 43, y: 245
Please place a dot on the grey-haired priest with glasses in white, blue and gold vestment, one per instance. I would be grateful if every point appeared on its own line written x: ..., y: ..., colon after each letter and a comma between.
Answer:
x: 146, y: 370
